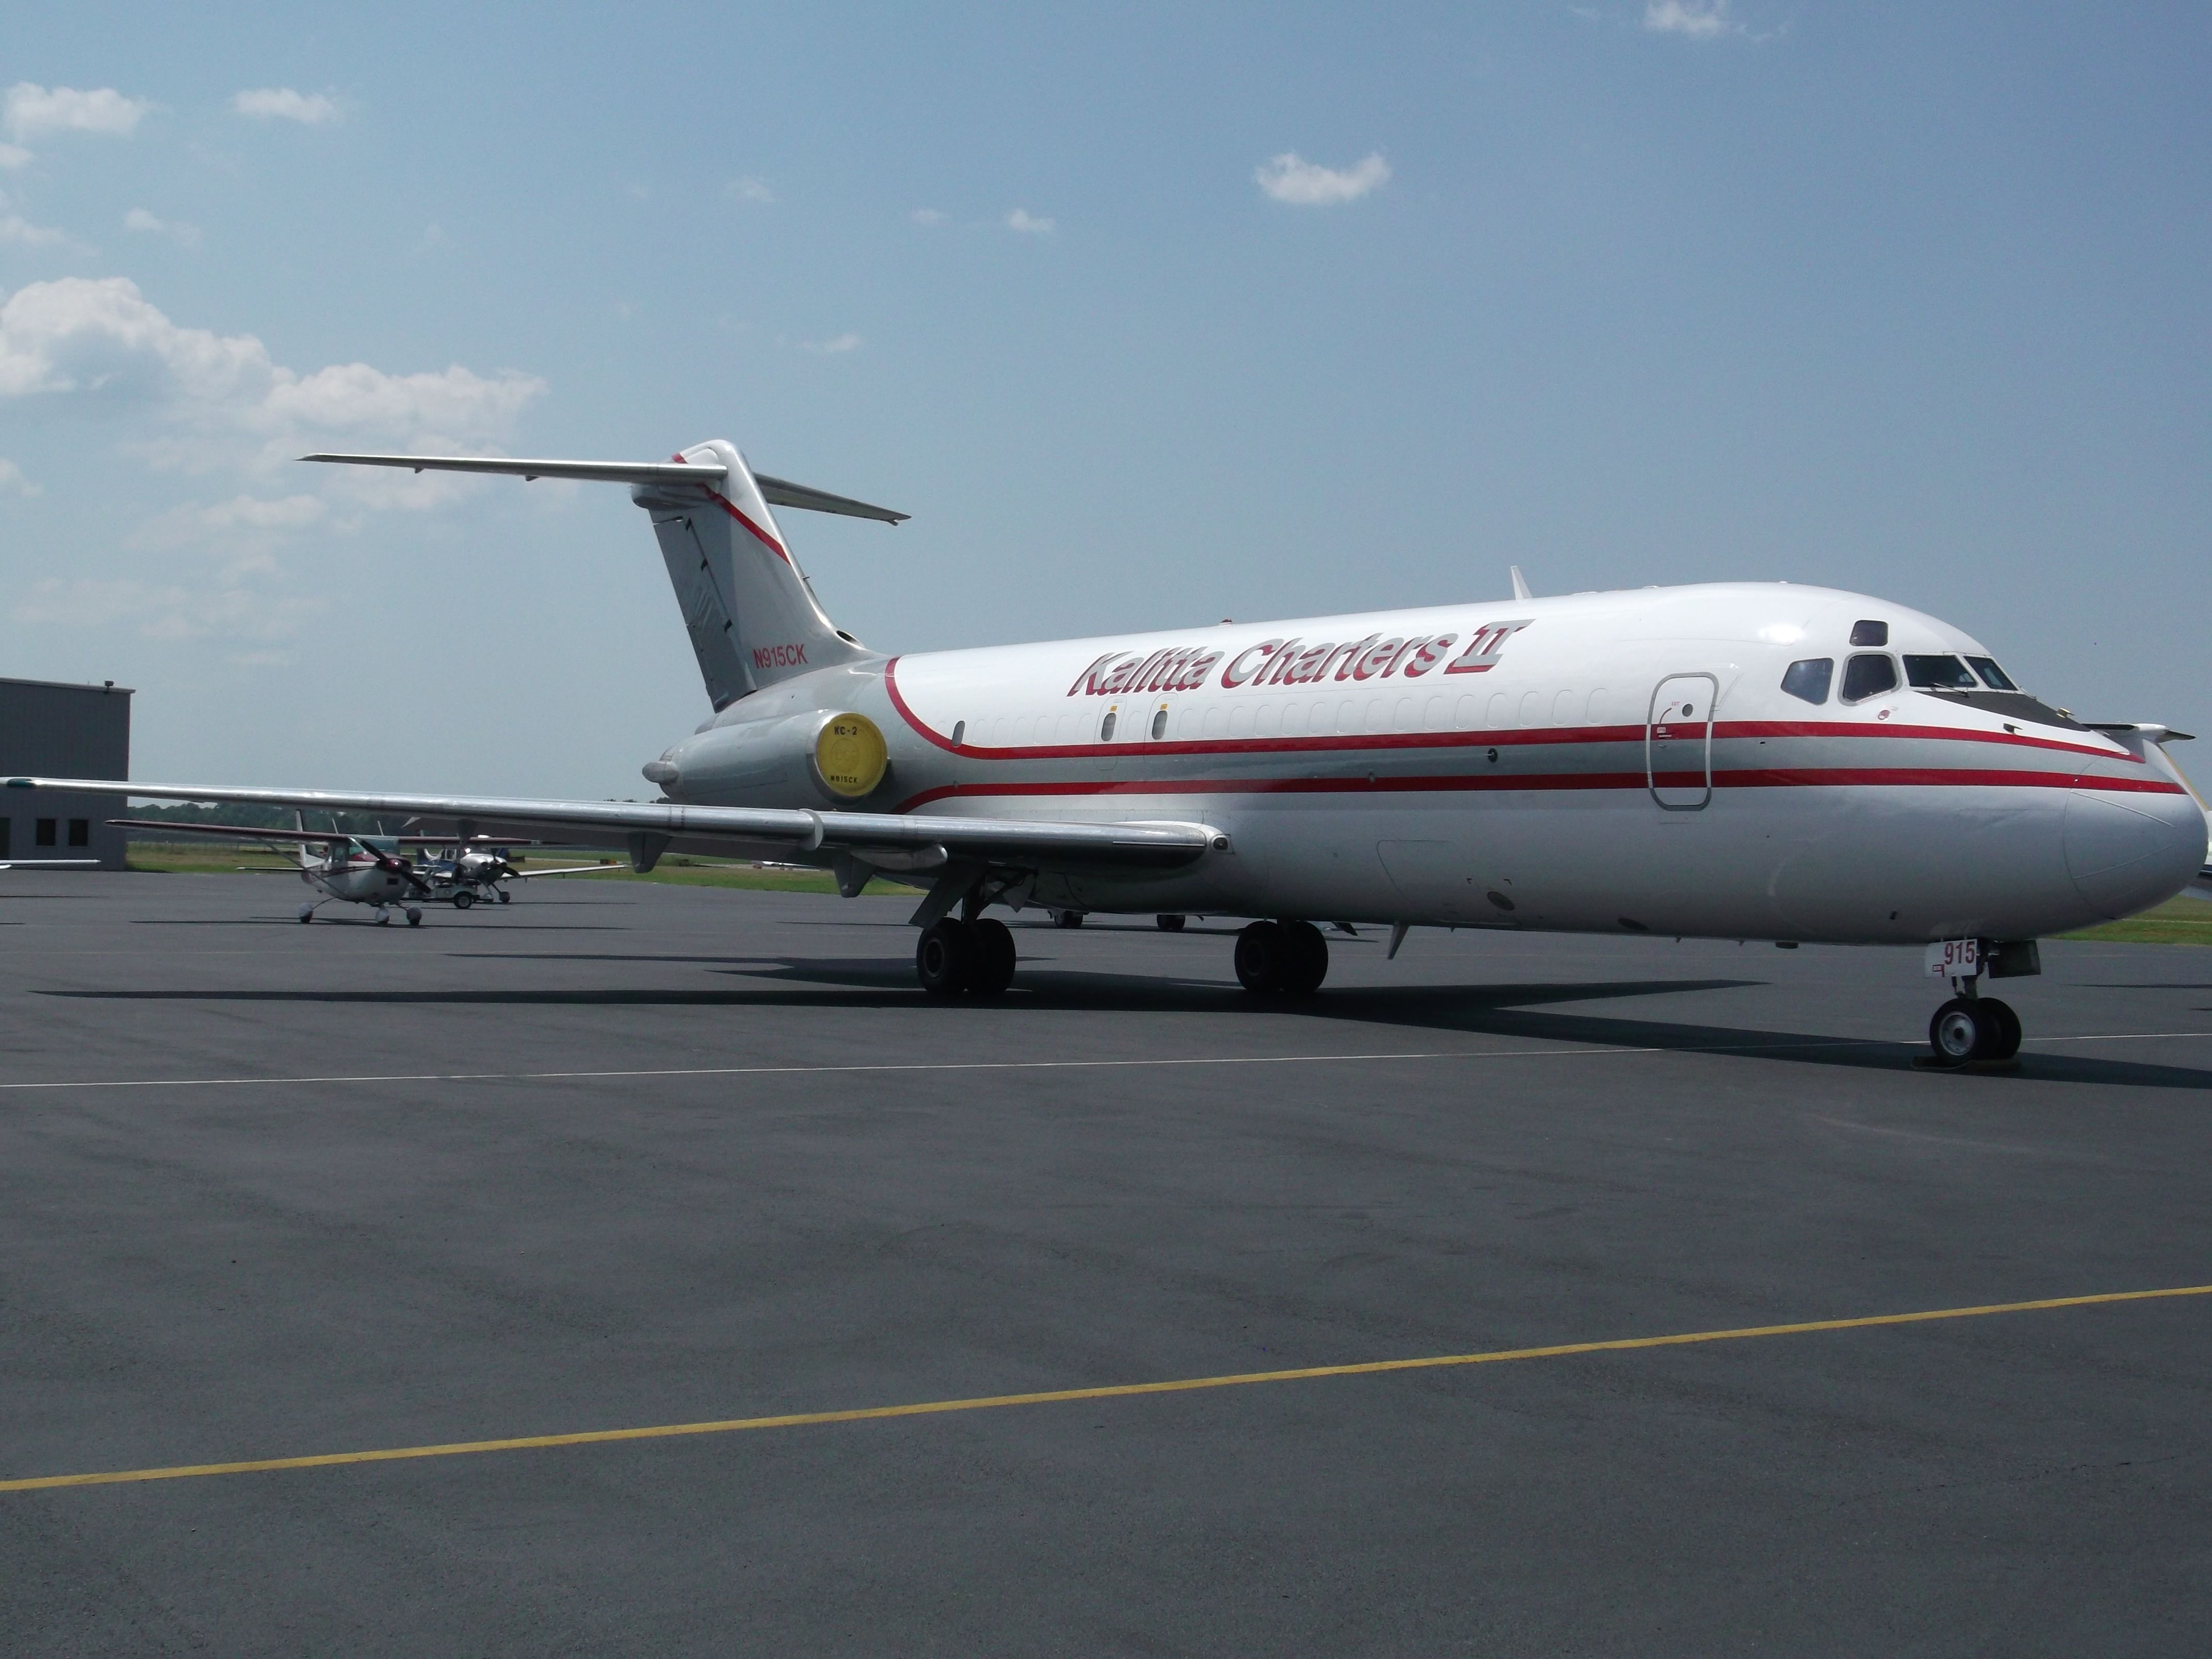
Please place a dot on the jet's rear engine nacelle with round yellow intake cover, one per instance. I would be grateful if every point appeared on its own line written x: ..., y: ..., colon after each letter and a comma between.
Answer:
x: 793, y: 762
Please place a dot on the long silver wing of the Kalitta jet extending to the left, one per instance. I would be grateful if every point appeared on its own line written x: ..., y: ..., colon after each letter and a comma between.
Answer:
x: 795, y: 831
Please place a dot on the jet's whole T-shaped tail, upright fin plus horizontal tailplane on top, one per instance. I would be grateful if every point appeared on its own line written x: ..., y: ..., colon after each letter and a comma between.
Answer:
x: 751, y: 612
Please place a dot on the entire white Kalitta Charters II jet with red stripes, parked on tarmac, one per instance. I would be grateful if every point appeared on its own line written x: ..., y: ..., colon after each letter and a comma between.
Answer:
x: 1729, y: 762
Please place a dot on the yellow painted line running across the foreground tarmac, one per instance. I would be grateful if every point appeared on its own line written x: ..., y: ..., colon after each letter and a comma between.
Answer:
x: 1065, y: 1397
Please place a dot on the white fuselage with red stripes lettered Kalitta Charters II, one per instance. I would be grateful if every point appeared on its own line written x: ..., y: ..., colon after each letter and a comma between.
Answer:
x: 1609, y: 762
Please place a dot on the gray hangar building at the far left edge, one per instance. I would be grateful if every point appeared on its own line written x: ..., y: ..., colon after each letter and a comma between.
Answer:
x: 63, y: 733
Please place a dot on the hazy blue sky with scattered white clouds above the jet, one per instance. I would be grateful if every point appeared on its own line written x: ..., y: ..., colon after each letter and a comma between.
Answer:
x: 1897, y: 298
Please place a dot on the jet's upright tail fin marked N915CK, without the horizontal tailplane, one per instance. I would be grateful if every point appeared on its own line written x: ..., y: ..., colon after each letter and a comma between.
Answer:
x: 747, y: 605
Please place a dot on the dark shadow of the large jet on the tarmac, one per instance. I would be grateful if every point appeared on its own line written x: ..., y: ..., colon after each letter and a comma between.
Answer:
x: 1477, y: 1010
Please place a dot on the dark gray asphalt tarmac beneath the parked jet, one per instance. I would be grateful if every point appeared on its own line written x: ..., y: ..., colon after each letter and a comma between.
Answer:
x: 623, y: 1158
